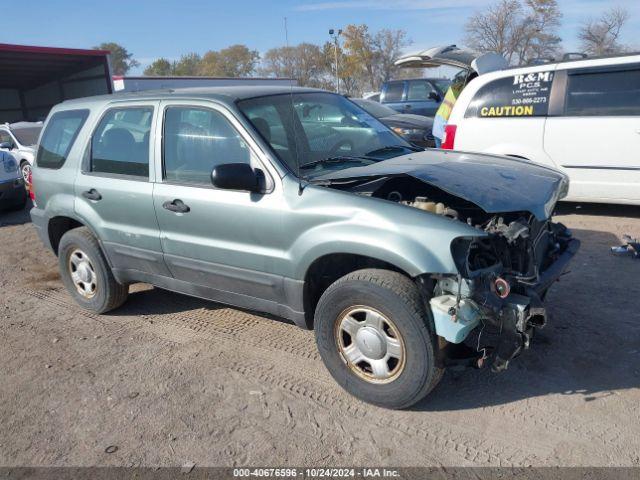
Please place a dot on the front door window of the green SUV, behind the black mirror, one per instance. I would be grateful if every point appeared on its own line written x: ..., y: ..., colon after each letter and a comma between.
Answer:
x: 195, y: 141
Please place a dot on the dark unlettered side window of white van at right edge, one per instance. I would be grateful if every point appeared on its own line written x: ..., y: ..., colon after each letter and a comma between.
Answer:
x: 610, y: 93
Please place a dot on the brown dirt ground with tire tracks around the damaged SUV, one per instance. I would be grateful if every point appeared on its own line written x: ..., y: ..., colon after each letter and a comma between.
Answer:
x: 172, y: 380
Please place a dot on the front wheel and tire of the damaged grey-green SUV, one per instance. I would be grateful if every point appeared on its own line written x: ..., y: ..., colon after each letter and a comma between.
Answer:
x: 406, y: 321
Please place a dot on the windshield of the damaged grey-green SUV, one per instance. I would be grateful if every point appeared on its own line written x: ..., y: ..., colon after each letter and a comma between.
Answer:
x: 322, y: 131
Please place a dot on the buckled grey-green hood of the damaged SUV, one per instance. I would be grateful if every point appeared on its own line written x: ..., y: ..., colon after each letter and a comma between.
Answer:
x: 494, y: 183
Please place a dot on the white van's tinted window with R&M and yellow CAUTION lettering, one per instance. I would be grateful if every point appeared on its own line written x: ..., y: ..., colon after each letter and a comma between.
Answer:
x: 522, y: 95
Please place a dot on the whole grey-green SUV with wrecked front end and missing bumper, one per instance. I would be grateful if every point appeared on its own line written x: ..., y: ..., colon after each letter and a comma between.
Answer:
x: 298, y: 203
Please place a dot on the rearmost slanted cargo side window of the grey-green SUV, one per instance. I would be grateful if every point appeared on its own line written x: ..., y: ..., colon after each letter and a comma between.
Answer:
x: 58, y: 138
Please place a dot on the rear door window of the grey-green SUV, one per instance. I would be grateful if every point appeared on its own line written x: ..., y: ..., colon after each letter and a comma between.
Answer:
x: 120, y: 143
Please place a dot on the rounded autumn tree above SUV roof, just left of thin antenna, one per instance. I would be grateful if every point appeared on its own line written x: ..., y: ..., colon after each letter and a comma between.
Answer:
x: 233, y: 61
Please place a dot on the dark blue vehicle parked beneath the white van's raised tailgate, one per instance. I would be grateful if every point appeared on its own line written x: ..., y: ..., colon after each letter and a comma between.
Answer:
x: 421, y: 96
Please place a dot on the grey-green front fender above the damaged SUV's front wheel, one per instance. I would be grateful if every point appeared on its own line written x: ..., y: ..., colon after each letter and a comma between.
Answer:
x: 413, y: 240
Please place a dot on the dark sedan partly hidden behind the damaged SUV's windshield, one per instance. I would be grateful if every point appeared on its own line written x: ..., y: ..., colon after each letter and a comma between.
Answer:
x: 413, y: 128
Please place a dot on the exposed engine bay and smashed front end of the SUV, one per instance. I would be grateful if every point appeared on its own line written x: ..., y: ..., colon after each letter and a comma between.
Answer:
x: 488, y: 313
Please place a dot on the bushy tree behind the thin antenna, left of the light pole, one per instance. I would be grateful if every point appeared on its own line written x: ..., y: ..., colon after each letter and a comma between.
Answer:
x: 304, y: 62
